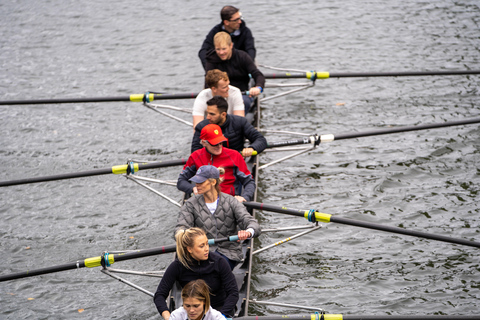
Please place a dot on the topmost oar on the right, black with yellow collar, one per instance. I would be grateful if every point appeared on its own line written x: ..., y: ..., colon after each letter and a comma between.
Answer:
x: 325, y: 75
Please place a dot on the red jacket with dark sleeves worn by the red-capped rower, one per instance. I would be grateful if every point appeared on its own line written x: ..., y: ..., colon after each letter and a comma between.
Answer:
x: 237, y: 180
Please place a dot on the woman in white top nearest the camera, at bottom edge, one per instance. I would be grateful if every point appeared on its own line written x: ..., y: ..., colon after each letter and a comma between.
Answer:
x: 196, y: 303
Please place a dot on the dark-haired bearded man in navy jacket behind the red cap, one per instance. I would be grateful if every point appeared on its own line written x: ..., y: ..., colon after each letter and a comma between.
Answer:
x: 235, y: 128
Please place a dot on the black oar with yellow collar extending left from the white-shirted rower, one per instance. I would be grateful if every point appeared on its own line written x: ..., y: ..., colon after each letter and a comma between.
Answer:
x: 133, y: 98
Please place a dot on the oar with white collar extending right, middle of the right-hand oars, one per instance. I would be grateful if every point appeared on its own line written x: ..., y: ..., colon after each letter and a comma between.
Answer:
x: 317, y: 139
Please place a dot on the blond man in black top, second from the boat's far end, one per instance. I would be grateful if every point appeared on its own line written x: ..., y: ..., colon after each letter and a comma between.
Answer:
x: 238, y: 65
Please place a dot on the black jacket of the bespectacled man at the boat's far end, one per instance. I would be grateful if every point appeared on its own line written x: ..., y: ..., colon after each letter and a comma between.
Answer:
x: 243, y: 41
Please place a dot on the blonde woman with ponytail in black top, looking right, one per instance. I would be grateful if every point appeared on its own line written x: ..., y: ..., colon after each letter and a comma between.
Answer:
x: 195, y: 261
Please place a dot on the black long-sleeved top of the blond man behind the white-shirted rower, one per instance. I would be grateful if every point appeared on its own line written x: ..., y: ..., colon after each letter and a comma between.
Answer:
x: 238, y: 68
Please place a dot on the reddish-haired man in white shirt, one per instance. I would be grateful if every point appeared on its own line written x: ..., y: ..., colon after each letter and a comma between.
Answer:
x: 218, y: 85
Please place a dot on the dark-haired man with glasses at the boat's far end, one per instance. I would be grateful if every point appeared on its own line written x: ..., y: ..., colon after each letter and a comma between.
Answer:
x: 233, y: 24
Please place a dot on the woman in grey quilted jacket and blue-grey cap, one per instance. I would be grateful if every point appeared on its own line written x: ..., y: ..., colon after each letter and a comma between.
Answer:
x: 219, y: 214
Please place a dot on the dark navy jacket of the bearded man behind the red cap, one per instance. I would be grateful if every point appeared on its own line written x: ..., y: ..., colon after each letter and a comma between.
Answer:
x: 235, y: 129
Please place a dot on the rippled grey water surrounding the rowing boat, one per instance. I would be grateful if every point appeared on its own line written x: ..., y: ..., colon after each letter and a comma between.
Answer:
x: 426, y: 180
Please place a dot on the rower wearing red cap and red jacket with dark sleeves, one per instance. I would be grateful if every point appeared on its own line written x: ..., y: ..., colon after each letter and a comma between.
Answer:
x: 238, y: 180
